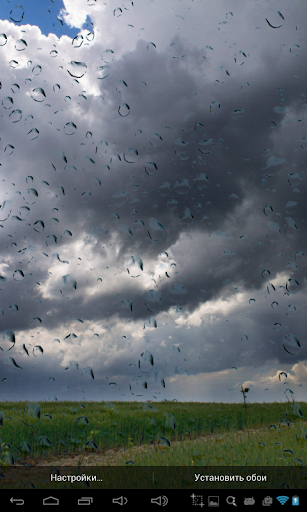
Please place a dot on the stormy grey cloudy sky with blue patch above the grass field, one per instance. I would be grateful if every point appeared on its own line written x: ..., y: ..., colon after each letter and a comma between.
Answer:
x: 152, y: 212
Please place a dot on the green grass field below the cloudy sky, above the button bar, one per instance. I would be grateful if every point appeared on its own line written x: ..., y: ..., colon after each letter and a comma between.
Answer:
x: 169, y: 433
